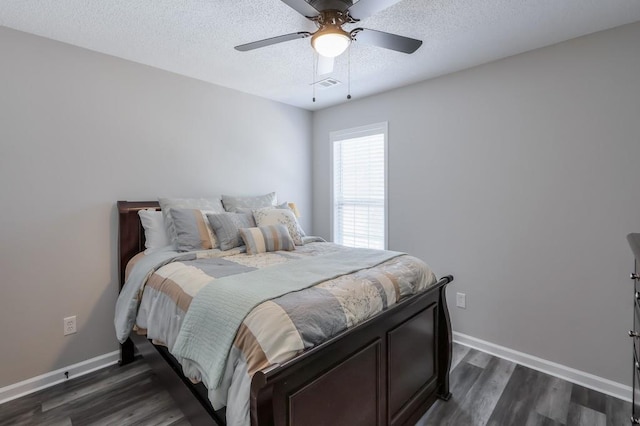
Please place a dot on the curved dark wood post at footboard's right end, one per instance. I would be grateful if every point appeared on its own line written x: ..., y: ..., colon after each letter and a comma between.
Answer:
x: 445, y: 339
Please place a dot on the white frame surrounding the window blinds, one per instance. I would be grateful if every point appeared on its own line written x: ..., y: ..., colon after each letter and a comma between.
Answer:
x: 356, y: 132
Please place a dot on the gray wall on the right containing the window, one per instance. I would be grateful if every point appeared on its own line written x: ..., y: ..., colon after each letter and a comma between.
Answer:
x: 520, y: 178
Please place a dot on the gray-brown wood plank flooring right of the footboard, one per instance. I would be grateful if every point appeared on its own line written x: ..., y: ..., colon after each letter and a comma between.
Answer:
x: 491, y: 391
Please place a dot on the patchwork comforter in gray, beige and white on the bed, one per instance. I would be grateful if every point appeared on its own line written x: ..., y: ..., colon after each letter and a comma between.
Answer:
x: 161, y: 289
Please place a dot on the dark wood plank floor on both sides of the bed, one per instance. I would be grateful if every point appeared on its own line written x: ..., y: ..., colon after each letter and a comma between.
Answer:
x: 486, y: 391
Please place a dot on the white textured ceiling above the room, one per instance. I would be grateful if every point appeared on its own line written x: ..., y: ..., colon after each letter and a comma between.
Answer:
x: 196, y: 38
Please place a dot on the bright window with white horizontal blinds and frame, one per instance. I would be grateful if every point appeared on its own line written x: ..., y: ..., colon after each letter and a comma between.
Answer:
x: 359, y: 186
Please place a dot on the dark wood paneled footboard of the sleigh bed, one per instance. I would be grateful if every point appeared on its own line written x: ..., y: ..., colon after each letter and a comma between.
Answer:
x: 387, y: 371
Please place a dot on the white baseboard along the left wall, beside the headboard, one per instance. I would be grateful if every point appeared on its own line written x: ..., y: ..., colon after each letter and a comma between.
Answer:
x: 52, y: 378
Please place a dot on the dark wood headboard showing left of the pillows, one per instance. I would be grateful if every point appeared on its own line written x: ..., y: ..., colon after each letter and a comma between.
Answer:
x: 130, y: 231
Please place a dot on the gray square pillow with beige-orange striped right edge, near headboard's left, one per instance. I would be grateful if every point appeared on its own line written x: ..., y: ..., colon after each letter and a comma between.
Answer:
x: 193, y: 229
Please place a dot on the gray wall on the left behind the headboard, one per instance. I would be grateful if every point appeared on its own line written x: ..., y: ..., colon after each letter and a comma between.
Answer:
x: 80, y: 130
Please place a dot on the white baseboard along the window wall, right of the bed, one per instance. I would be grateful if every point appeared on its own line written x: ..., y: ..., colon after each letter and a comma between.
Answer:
x: 569, y: 374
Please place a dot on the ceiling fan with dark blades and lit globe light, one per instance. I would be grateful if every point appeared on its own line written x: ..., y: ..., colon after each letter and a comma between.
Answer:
x: 331, y: 40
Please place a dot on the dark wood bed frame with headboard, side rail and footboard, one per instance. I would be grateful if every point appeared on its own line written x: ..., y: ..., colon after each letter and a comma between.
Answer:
x: 386, y: 371
